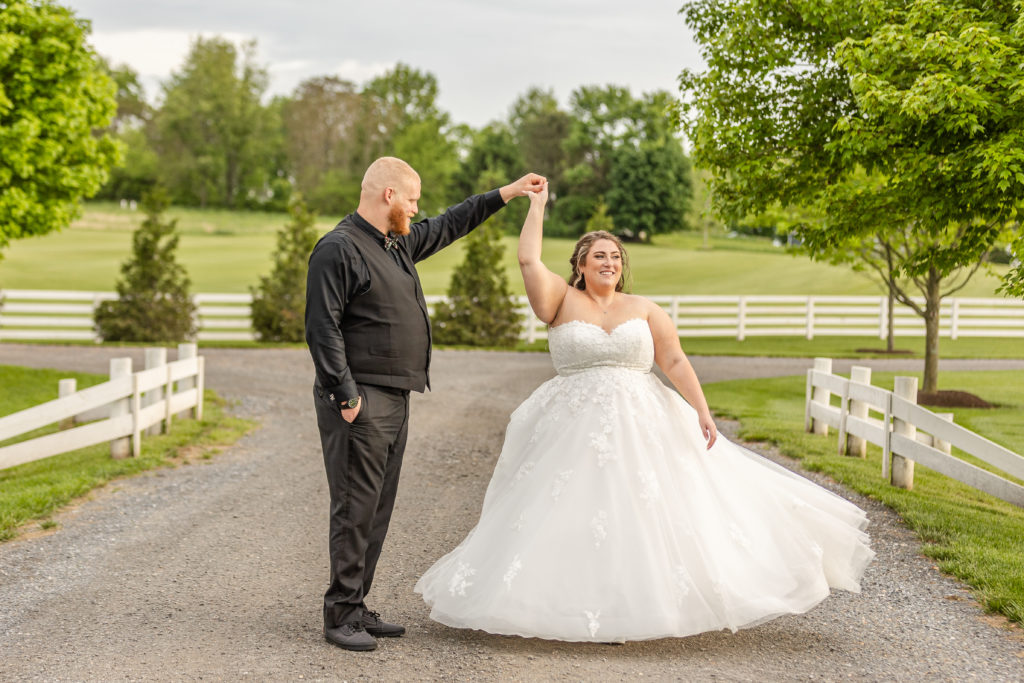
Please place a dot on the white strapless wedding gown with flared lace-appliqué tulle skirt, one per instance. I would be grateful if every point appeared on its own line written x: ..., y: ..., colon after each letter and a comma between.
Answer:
x: 608, y: 520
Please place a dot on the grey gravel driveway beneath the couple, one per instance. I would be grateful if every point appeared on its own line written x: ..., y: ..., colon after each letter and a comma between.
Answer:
x: 217, y: 571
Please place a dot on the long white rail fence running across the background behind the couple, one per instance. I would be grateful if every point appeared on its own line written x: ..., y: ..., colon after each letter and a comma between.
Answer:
x: 42, y: 315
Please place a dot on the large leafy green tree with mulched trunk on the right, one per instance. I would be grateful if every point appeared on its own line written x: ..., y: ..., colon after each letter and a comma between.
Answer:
x: 892, y: 119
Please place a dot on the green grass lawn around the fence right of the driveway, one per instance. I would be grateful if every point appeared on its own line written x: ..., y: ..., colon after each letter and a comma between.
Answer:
x: 970, y: 535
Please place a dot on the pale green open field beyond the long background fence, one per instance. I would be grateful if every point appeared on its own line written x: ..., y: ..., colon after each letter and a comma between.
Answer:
x: 228, y: 251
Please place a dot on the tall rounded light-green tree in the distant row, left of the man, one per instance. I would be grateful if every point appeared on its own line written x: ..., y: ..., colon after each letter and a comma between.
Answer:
x: 212, y: 132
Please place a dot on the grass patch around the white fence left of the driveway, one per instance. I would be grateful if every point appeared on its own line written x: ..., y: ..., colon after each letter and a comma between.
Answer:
x: 34, y: 491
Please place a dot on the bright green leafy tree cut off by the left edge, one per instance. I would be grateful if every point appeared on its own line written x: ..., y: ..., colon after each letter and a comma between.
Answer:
x: 55, y: 102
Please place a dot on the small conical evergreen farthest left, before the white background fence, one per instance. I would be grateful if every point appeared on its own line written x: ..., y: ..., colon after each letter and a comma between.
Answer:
x: 153, y: 304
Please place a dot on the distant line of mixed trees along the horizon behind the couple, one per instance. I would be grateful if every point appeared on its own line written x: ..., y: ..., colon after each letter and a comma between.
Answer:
x: 215, y: 141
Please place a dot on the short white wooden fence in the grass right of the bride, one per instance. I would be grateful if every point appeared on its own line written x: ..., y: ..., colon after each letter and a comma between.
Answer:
x: 899, y: 432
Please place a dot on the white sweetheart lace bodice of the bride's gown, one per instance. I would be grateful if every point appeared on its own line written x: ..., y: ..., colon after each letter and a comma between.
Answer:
x: 577, y: 347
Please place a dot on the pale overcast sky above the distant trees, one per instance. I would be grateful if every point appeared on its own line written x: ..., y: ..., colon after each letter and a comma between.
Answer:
x: 484, y: 53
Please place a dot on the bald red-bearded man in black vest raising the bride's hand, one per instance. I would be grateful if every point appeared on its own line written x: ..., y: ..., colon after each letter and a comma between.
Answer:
x: 369, y: 335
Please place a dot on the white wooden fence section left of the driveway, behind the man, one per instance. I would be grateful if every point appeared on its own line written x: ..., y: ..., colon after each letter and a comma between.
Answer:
x: 124, y: 408
